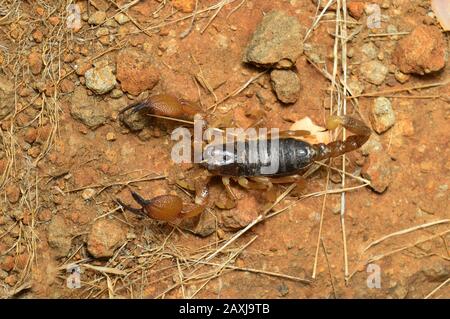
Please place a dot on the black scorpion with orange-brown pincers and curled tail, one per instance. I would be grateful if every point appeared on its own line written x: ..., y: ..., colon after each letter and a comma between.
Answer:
x: 293, y: 156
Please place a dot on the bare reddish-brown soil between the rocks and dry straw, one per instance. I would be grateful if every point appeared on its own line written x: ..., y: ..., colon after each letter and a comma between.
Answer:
x: 417, y: 145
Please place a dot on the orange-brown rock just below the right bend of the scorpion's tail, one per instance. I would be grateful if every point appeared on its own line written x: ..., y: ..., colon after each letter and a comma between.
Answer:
x: 378, y: 170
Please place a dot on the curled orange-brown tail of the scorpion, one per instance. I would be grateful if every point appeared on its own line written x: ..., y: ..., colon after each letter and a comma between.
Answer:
x: 362, y: 133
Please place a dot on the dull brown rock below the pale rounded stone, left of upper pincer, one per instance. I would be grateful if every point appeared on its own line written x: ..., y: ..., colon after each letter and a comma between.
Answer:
x: 85, y: 109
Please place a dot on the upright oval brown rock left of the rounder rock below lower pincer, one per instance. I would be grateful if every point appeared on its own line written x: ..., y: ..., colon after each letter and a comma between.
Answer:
x: 59, y: 236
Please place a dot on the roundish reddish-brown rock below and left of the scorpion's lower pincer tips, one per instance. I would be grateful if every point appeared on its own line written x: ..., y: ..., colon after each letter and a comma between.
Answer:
x: 105, y: 237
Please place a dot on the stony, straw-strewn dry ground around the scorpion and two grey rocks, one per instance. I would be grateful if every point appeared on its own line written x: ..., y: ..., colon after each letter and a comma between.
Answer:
x: 65, y: 153
